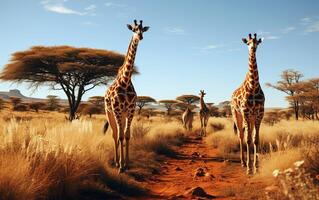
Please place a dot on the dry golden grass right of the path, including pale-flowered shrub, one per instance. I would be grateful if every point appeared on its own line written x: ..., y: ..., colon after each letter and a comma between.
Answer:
x: 282, y: 144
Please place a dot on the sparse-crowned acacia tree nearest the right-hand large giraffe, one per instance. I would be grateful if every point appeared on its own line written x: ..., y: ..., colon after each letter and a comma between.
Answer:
x: 287, y: 85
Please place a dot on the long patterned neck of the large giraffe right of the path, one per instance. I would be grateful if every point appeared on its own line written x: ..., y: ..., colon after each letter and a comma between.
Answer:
x: 252, y: 77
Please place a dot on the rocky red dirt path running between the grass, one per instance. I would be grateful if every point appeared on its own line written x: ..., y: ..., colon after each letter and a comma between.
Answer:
x: 223, y: 179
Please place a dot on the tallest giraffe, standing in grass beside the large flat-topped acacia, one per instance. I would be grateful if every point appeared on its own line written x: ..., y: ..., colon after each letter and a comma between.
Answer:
x: 120, y: 100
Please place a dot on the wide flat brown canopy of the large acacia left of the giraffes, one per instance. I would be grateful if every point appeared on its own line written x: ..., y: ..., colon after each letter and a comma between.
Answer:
x: 45, y: 64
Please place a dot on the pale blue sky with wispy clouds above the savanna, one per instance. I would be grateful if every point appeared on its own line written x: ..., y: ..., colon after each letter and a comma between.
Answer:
x: 191, y: 45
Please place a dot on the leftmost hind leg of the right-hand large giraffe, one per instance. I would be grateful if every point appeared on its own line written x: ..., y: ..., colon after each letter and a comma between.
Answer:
x: 238, y: 119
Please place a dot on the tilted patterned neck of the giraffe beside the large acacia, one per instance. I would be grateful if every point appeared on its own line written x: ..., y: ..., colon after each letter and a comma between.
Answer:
x: 126, y: 71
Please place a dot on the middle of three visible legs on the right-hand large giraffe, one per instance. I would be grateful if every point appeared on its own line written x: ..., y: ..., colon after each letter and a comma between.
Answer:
x: 249, y: 143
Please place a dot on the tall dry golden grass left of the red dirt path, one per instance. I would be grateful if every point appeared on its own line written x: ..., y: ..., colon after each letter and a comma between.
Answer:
x: 54, y: 159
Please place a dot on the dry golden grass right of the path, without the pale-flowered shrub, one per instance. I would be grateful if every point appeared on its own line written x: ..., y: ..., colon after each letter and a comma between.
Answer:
x: 281, y: 144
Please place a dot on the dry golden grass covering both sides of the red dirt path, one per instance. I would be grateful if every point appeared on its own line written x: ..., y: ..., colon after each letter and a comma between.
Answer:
x: 52, y: 158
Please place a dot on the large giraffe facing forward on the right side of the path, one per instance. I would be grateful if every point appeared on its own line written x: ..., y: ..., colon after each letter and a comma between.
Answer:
x: 247, y: 105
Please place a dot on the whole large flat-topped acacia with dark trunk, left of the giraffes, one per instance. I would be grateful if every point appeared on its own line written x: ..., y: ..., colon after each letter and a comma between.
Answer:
x: 72, y: 70
